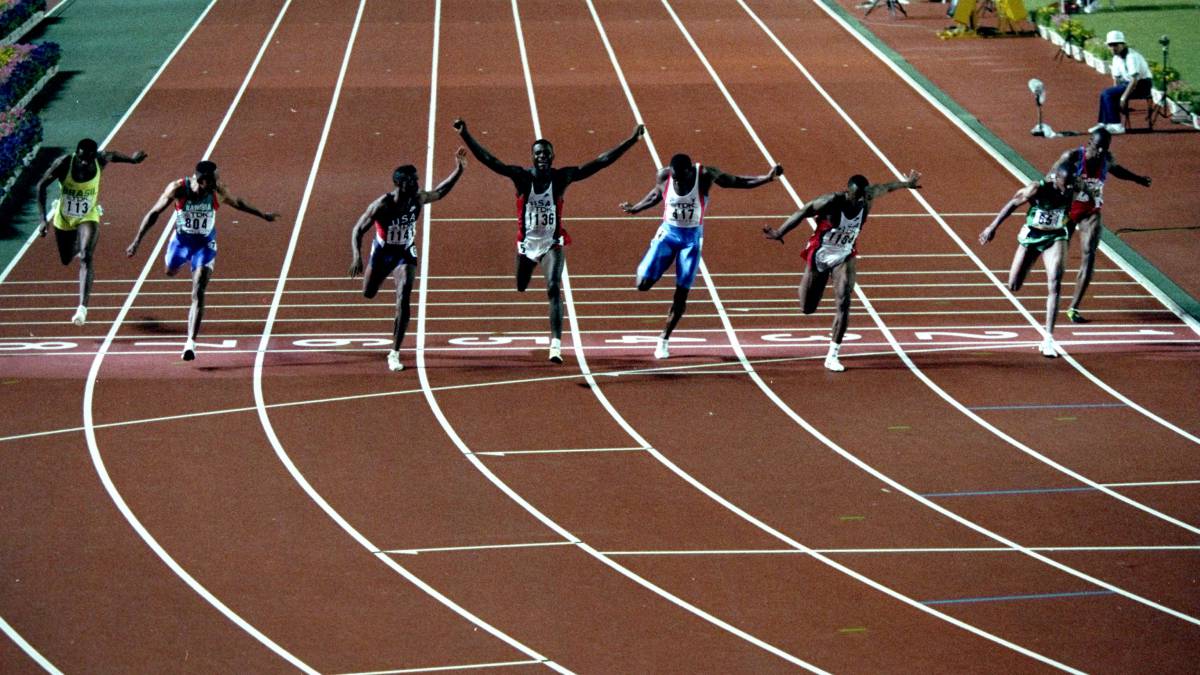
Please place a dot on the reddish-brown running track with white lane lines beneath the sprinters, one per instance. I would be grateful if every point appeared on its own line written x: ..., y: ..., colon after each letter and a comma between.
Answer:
x: 952, y: 503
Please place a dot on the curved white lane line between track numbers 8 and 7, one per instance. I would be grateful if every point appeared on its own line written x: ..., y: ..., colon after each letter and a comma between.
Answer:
x: 94, y: 375
